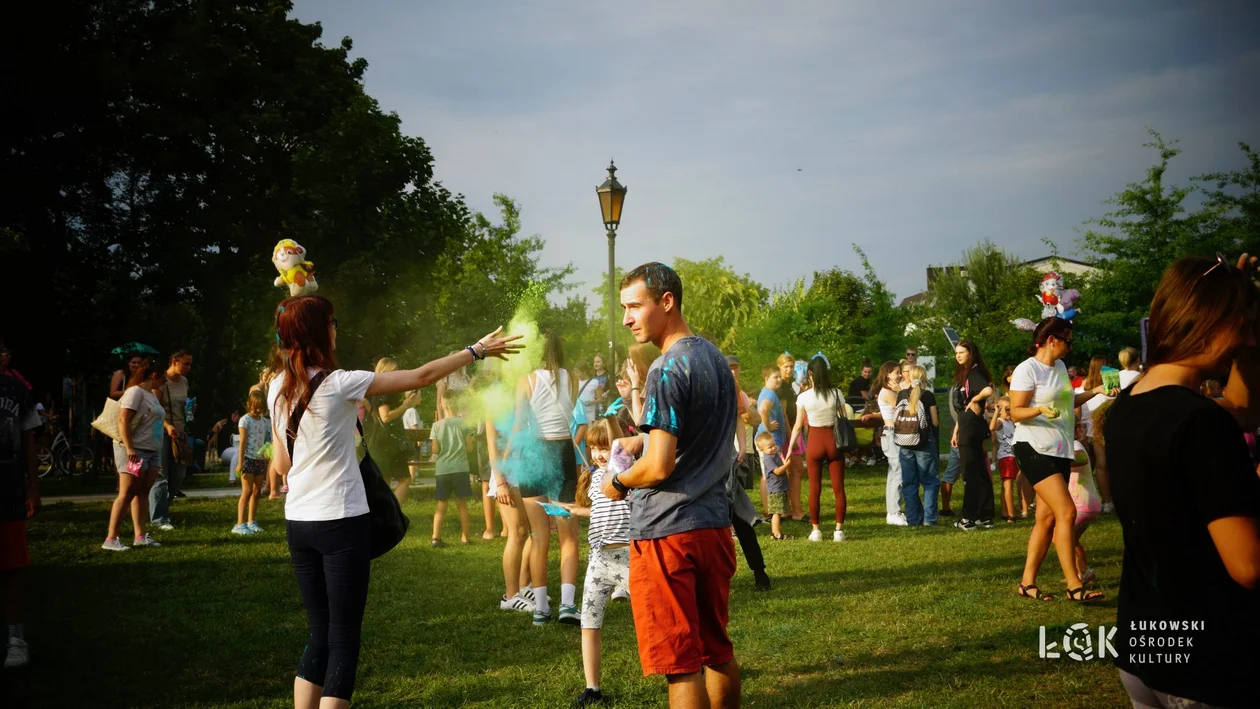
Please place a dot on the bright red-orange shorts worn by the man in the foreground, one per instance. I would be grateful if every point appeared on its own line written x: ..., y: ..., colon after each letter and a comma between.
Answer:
x: 680, y: 593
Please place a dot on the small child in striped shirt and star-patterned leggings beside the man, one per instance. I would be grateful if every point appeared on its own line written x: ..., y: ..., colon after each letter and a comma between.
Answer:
x: 608, y: 570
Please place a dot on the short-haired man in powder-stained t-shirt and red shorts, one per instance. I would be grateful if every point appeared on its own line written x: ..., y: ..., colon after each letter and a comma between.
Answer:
x: 681, y: 553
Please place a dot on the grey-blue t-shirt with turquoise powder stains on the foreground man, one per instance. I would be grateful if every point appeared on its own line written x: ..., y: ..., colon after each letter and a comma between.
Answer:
x: 690, y: 394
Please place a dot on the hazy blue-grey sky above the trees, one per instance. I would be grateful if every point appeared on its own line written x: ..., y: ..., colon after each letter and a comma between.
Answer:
x: 778, y: 134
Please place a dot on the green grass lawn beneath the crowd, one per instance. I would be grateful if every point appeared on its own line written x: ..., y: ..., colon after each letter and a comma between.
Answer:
x: 893, y: 618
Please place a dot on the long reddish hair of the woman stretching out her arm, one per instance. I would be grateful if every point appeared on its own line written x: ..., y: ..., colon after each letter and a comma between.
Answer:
x: 304, y: 342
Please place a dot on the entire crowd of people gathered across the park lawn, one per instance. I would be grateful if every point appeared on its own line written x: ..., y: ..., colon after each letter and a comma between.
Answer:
x: 661, y: 460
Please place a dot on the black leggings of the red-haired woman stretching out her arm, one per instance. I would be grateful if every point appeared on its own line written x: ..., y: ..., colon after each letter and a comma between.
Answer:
x: 332, y: 561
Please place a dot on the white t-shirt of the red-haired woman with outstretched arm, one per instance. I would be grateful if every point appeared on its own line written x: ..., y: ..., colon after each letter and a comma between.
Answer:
x: 324, y: 482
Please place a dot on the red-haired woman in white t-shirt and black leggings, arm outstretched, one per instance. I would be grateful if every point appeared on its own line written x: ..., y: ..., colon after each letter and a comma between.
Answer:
x: 327, y: 509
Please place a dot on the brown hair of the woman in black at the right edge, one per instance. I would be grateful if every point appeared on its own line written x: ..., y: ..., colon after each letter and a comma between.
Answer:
x: 1196, y: 300
